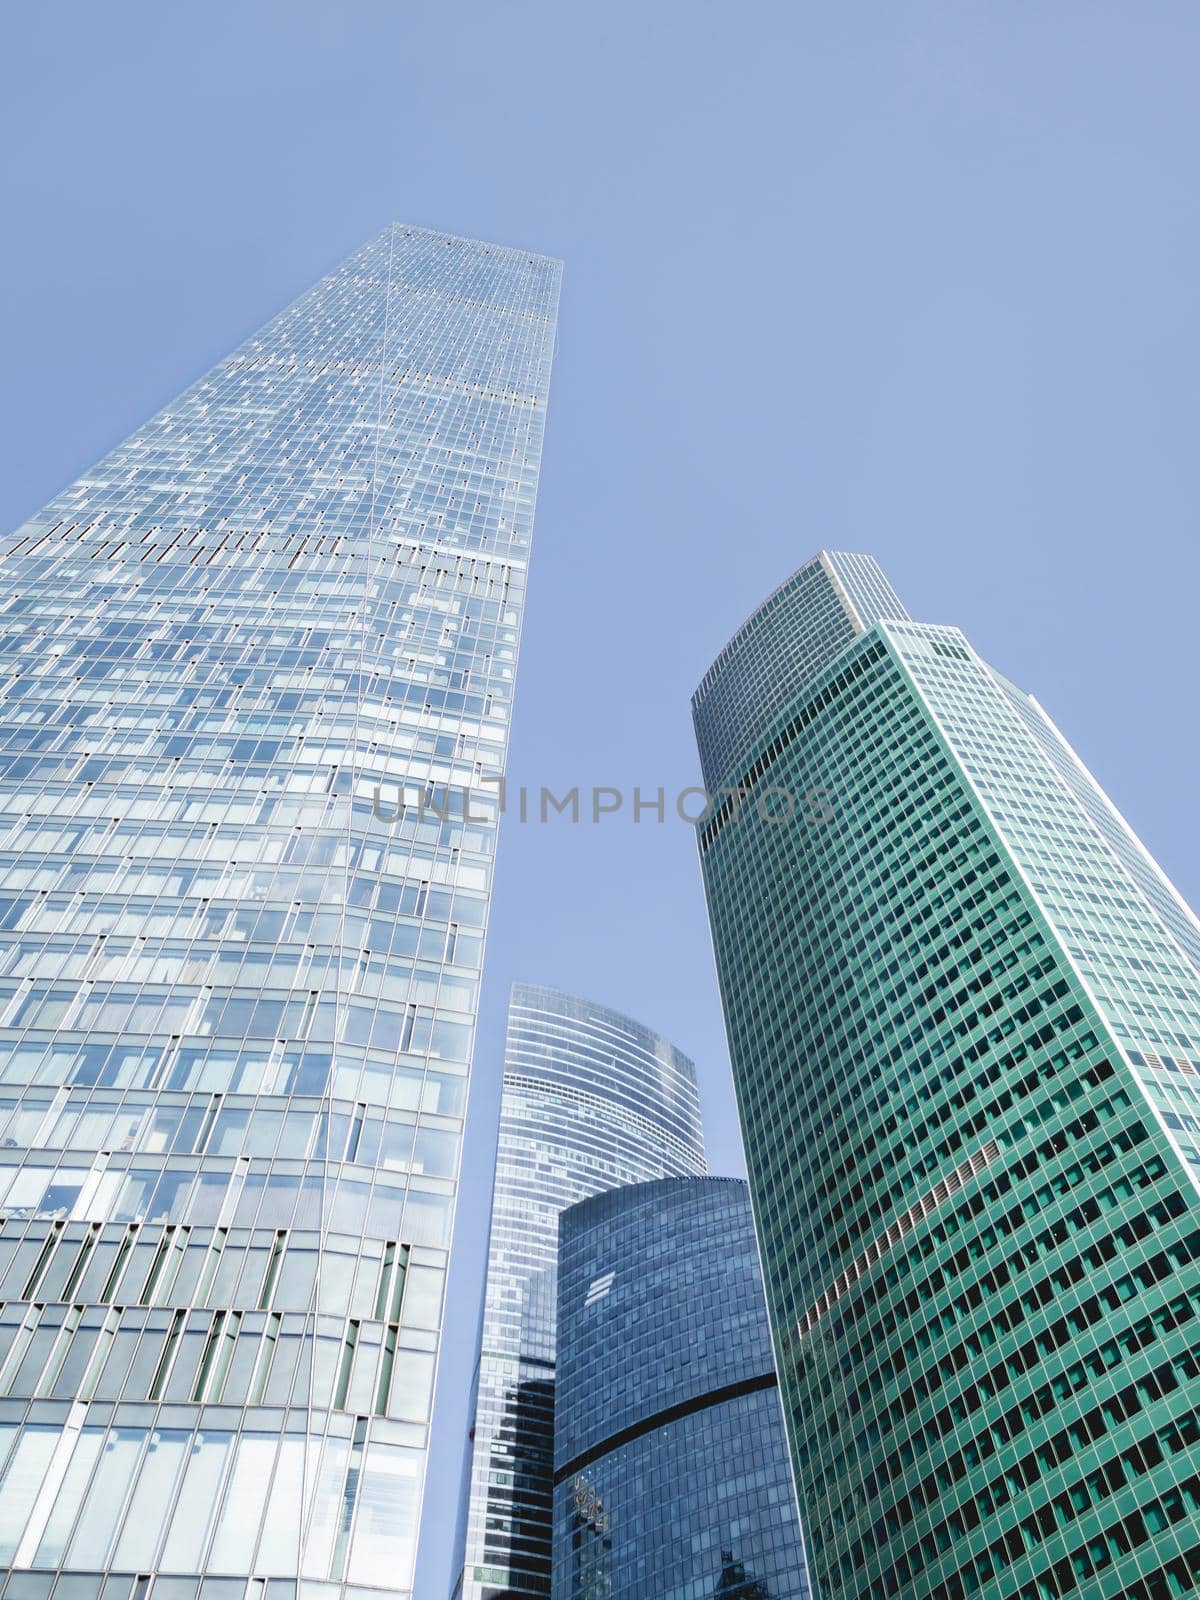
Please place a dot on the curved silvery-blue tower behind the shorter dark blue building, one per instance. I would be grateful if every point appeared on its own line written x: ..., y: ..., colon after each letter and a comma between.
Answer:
x: 591, y: 1100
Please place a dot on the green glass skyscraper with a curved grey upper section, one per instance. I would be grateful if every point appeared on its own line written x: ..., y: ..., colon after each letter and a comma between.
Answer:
x: 964, y: 1009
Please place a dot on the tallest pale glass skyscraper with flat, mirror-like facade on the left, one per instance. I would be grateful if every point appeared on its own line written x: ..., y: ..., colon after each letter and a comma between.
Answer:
x: 250, y: 662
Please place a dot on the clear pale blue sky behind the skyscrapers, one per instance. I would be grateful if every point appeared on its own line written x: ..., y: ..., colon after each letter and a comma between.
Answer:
x: 913, y: 279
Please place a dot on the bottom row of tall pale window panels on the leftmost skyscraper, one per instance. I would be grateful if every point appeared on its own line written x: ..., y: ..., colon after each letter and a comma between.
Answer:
x: 217, y: 1502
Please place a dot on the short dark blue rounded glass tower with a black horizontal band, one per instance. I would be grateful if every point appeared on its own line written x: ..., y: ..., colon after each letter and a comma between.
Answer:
x: 671, y: 1457
